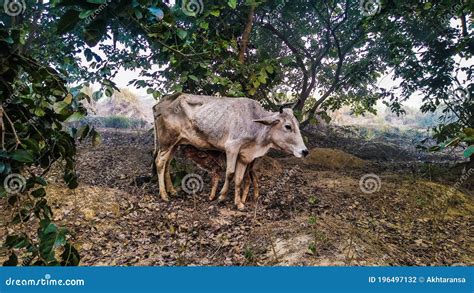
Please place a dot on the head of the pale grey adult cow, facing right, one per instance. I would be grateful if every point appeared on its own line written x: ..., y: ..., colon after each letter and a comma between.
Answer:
x: 285, y: 133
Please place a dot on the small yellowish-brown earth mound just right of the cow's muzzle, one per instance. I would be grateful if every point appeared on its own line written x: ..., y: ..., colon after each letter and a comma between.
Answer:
x: 333, y: 159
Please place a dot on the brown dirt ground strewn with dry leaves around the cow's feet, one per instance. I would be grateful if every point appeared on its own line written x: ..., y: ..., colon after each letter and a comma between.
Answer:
x: 311, y: 212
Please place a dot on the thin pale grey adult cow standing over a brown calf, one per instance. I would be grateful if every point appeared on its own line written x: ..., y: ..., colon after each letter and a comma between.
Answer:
x: 239, y: 127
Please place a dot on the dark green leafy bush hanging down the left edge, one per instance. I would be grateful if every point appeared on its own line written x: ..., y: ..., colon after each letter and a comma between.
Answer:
x: 35, y: 104
